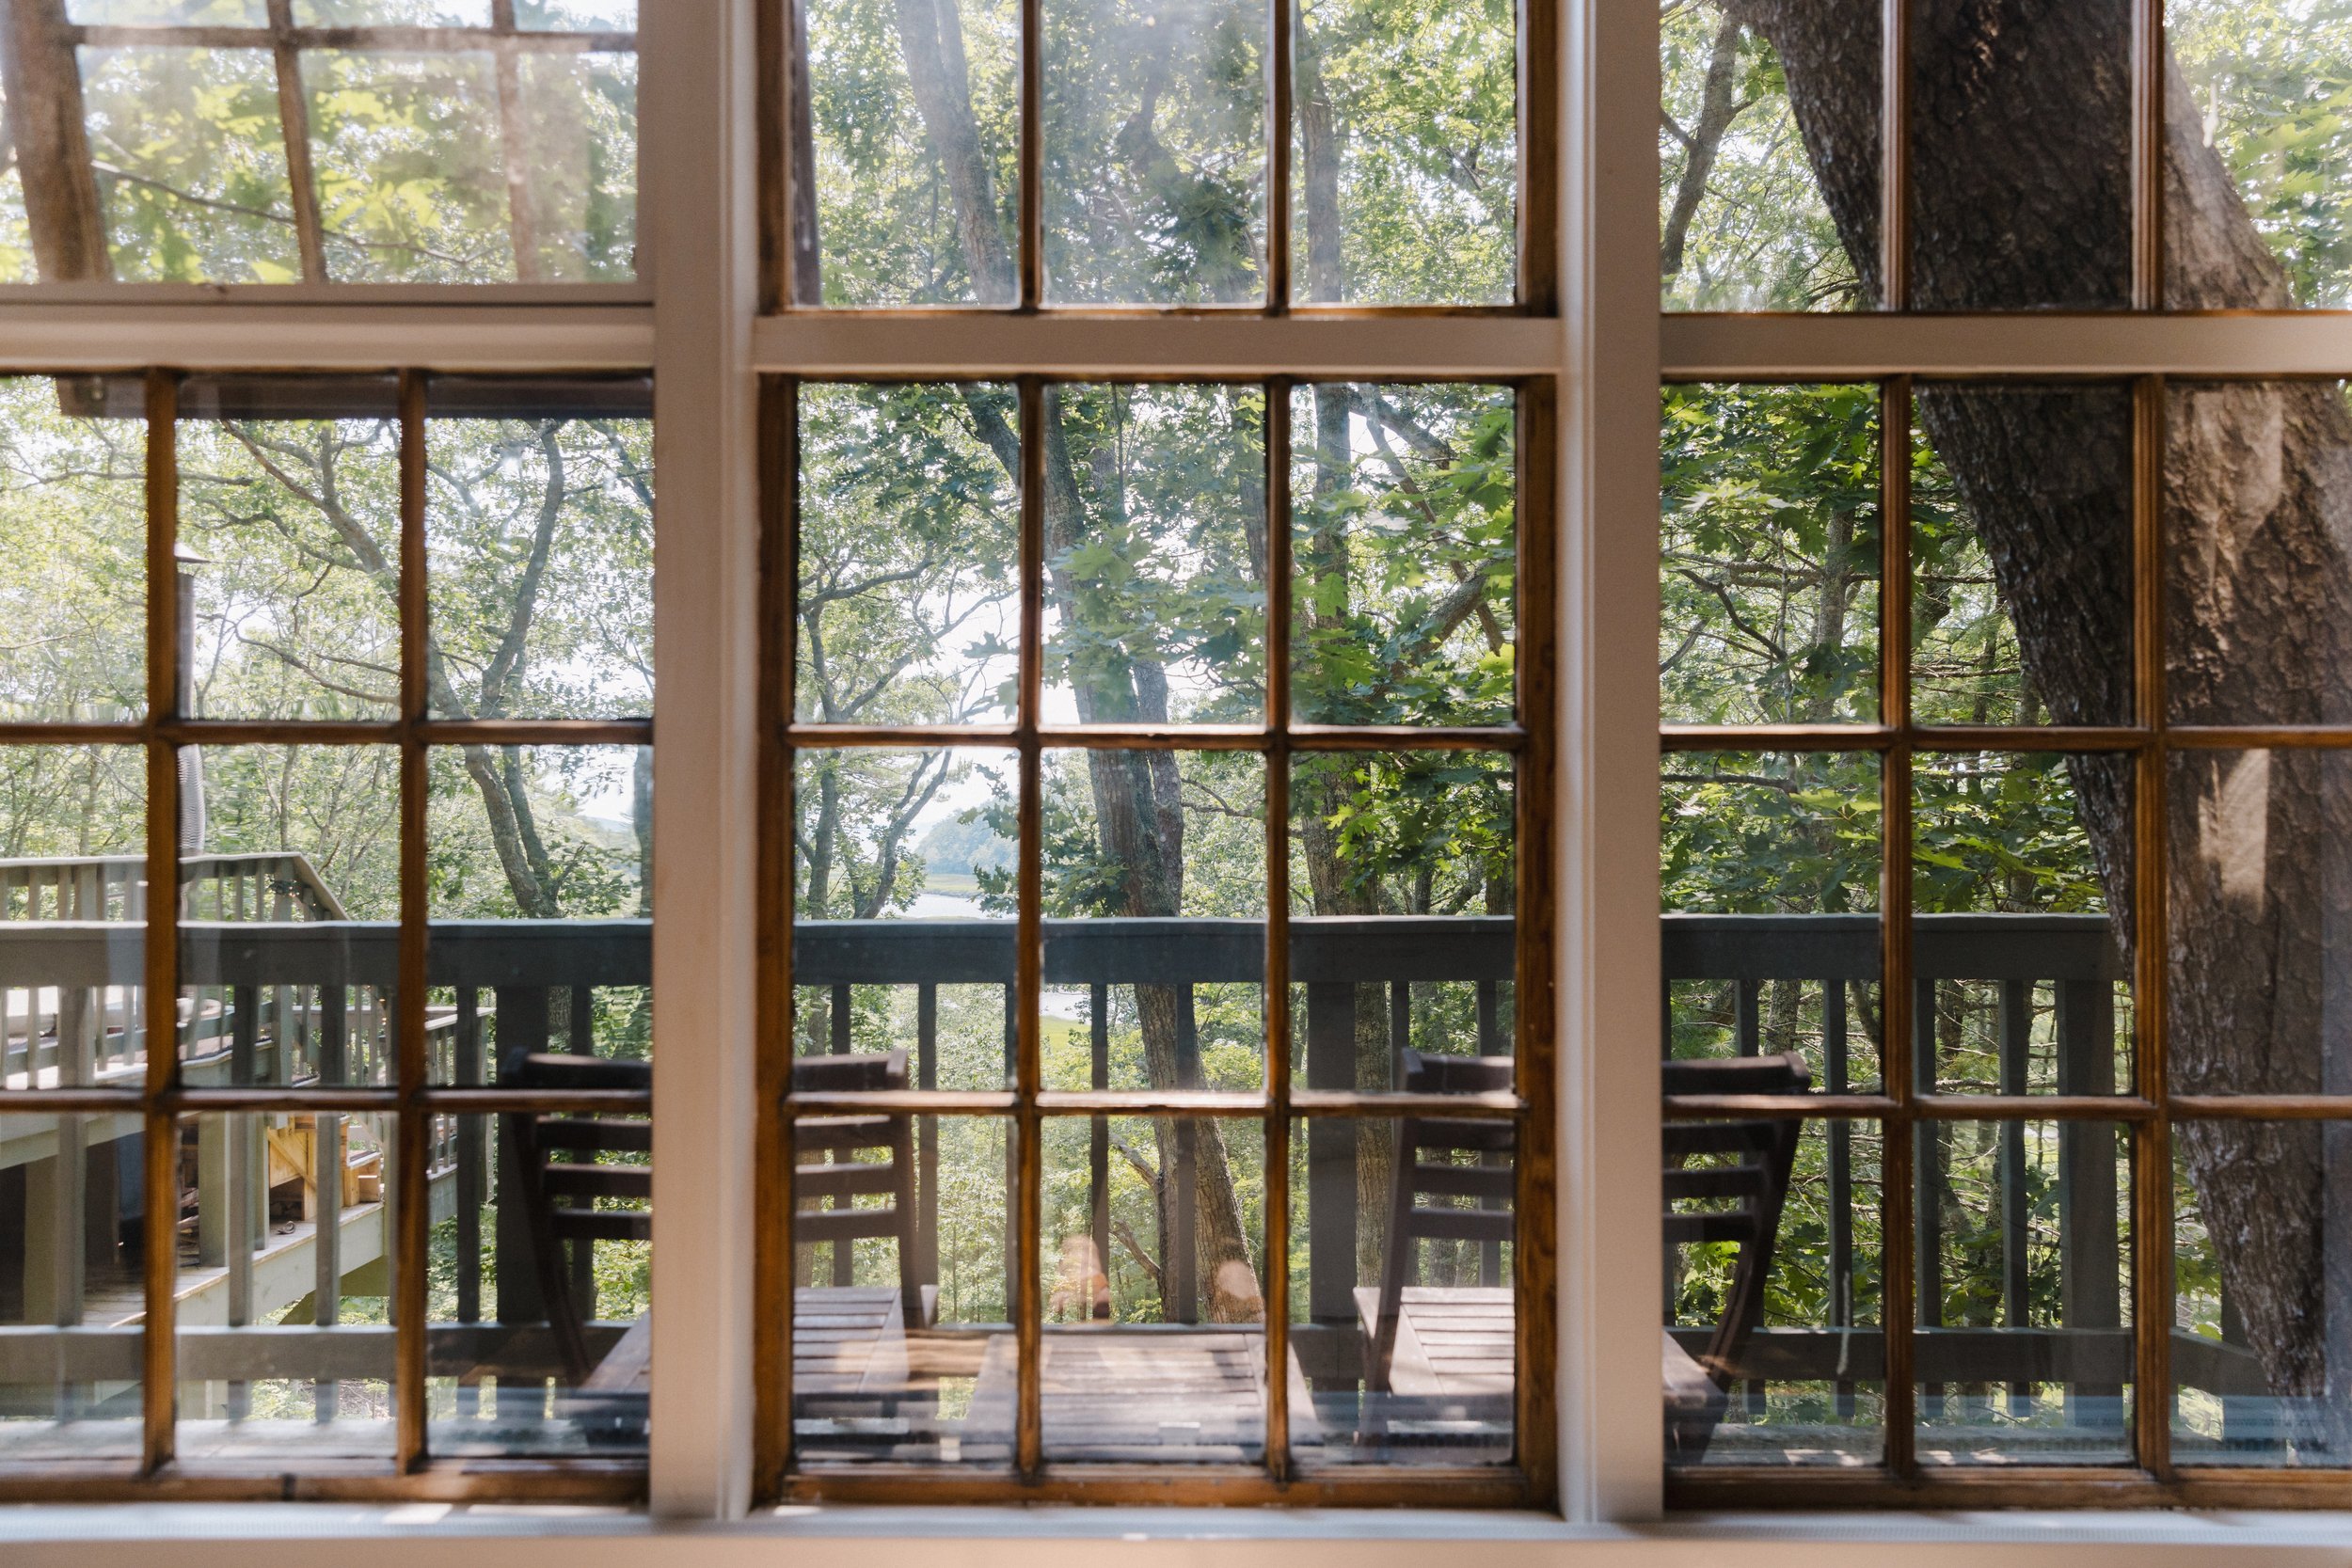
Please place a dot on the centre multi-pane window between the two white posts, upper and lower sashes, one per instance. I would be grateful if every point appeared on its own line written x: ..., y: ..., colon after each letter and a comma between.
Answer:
x: 1158, y: 1000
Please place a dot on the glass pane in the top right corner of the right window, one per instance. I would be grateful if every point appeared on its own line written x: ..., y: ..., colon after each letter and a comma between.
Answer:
x: 2257, y: 154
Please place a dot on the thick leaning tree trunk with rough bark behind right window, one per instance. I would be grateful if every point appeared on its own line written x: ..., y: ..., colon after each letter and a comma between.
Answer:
x: 2022, y: 199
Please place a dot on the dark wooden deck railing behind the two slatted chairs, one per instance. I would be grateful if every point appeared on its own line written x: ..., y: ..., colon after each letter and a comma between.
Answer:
x: 533, y: 986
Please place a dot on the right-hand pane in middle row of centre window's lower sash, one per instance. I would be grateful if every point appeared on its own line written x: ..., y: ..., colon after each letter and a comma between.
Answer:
x: 1403, y: 932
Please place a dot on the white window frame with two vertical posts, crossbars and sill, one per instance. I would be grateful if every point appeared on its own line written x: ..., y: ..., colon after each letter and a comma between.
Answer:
x: 697, y: 323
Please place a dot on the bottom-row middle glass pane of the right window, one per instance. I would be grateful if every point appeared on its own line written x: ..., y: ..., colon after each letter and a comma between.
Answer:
x: 2026, y: 1332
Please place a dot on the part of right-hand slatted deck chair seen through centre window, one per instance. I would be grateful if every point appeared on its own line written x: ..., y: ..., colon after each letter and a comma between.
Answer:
x: 1426, y: 1167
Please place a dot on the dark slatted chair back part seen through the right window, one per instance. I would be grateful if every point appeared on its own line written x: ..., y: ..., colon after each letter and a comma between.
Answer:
x: 1735, y: 1198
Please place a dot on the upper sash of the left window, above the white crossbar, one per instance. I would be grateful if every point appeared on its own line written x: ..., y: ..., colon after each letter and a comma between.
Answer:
x: 272, y: 142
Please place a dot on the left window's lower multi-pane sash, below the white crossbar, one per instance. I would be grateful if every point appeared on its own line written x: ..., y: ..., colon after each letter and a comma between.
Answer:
x: 359, y: 666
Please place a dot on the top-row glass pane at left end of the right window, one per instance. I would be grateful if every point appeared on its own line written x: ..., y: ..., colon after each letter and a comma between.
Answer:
x: 1768, y: 163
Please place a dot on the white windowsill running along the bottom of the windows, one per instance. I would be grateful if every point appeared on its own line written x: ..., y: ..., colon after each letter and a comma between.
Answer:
x: 260, y: 1536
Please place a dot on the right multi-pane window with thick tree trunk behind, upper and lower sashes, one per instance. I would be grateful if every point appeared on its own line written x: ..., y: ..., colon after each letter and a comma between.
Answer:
x: 2003, y: 760
